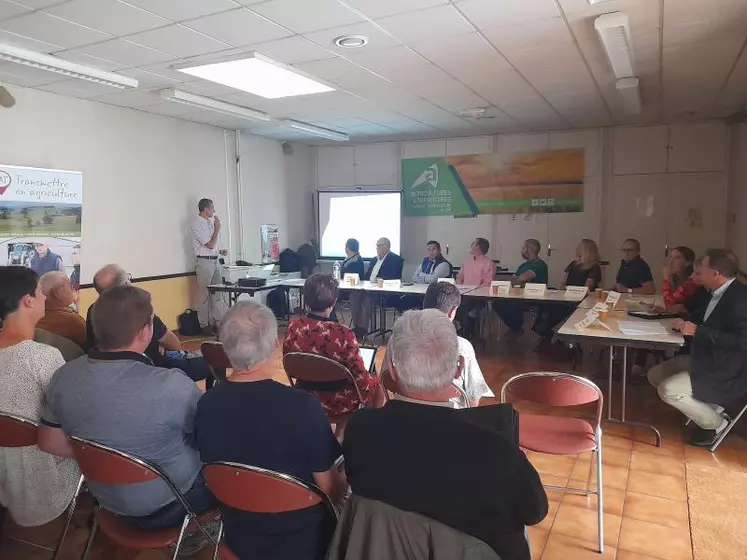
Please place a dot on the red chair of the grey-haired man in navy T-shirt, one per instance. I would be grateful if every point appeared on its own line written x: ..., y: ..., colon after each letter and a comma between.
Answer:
x: 258, y: 490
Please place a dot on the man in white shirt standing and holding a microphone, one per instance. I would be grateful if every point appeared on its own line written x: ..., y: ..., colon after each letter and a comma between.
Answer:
x: 204, y: 232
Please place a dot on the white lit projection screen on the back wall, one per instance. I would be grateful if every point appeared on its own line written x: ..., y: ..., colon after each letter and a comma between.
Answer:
x: 365, y: 216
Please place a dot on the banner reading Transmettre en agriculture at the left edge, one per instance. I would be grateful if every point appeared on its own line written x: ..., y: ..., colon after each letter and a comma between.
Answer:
x: 40, y: 219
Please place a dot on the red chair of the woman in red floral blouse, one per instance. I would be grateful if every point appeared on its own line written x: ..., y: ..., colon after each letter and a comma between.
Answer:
x: 312, y: 368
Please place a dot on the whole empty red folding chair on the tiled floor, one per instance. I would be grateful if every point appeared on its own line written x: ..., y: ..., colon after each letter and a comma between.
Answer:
x: 561, y: 435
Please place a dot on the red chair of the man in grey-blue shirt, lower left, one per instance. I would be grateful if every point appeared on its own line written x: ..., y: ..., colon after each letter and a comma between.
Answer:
x: 105, y: 465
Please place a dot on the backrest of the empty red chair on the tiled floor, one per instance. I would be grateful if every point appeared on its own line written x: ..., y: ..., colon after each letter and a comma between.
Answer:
x: 553, y: 389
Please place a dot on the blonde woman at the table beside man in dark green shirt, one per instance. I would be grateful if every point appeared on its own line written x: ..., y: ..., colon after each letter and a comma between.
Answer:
x: 585, y: 270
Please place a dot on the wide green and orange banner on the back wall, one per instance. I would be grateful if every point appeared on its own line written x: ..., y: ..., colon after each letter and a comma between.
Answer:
x: 519, y: 183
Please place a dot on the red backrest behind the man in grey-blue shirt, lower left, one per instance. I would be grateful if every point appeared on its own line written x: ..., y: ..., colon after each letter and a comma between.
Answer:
x: 104, y: 465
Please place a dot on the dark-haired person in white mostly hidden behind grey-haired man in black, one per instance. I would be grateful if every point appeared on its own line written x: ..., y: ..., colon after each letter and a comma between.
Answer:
x: 446, y: 298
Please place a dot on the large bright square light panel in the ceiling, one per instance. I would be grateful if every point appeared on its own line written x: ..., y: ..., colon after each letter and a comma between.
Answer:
x: 256, y: 74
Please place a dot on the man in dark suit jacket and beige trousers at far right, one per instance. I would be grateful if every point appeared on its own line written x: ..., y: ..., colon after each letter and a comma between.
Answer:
x: 714, y: 374
